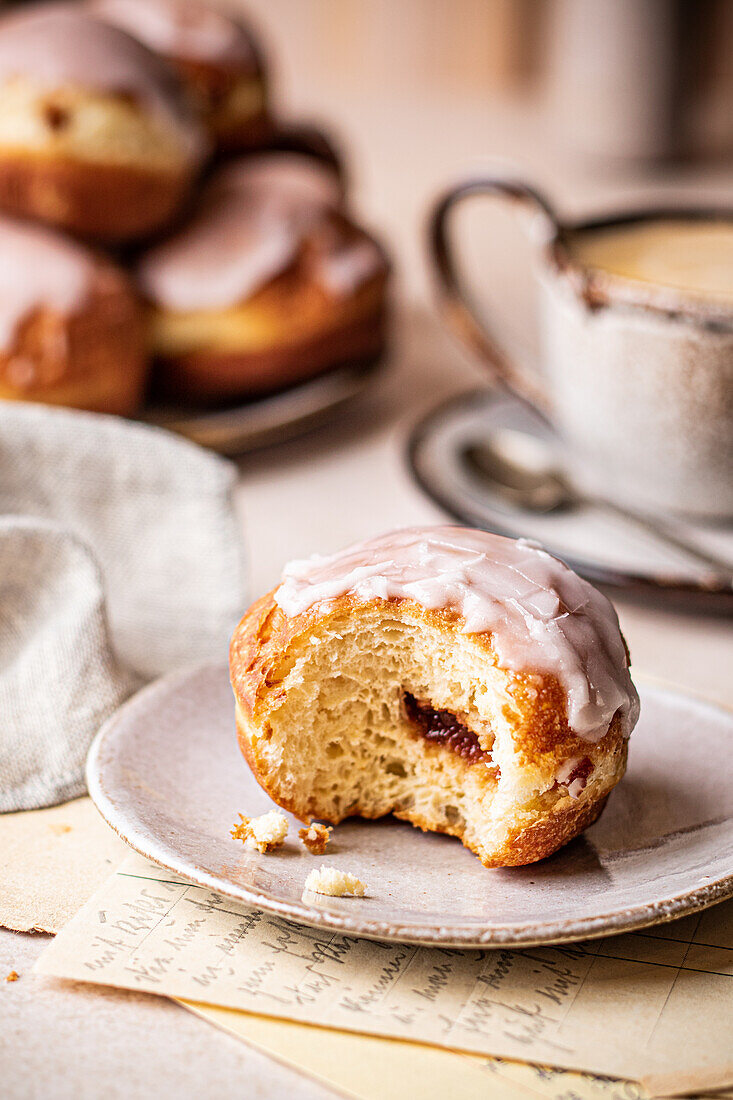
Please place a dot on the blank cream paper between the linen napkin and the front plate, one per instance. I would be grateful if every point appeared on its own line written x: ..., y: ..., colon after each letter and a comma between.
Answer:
x: 53, y: 861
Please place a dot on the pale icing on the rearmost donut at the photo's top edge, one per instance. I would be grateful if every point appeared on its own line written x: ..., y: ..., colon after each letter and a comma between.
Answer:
x: 183, y: 29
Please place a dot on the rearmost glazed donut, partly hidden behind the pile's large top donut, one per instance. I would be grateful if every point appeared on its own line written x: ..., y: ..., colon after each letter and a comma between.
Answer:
x: 216, y: 57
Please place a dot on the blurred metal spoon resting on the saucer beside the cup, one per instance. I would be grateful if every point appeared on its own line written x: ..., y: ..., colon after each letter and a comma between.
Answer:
x: 533, y: 481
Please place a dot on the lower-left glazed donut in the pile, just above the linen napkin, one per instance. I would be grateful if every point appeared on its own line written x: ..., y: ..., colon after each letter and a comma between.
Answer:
x: 72, y: 331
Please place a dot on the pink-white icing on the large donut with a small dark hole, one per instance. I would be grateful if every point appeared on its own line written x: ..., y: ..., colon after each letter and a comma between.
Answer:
x: 63, y: 47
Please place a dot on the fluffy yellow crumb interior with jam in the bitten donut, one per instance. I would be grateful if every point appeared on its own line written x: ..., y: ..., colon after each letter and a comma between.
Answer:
x: 347, y: 734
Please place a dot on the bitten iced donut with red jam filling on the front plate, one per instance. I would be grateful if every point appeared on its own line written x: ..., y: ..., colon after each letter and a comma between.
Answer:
x: 468, y: 684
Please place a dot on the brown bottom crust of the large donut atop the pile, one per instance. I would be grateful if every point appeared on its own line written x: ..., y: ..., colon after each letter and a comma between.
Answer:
x: 111, y: 203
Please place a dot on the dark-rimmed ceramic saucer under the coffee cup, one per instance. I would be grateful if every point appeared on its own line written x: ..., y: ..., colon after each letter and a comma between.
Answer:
x: 598, y: 544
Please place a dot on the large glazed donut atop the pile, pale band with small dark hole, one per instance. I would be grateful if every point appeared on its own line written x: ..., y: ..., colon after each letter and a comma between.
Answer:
x: 95, y: 134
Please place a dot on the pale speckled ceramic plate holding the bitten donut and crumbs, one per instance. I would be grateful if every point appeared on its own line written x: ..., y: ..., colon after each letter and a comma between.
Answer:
x: 168, y: 776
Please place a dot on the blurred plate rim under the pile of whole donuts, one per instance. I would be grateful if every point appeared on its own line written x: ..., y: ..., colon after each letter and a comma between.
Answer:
x: 273, y: 420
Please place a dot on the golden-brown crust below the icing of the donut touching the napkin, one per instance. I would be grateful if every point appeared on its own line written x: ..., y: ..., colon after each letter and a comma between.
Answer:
x: 94, y: 359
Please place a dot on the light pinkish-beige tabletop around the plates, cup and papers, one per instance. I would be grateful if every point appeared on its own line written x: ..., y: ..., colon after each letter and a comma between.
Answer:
x: 344, y: 482
